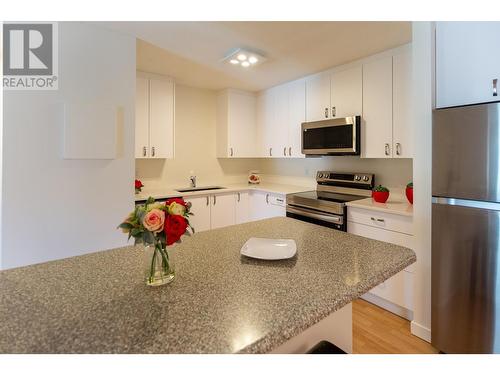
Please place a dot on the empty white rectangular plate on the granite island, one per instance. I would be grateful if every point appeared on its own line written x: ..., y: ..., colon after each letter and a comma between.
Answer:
x: 269, y: 248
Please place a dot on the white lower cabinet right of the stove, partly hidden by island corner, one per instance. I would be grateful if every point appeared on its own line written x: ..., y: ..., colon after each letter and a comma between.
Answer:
x: 396, y: 293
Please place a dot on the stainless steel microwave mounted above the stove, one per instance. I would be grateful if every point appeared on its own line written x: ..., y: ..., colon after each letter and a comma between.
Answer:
x: 338, y: 136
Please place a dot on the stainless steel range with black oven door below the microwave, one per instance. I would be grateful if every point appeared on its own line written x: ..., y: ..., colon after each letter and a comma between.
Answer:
x: 326, y: 205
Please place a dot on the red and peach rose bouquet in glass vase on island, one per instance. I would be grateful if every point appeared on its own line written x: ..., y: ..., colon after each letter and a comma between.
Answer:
x: 158, y: 225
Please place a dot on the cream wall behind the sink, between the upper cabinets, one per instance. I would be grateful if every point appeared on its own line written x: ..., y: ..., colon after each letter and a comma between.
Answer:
x: 195, y: 147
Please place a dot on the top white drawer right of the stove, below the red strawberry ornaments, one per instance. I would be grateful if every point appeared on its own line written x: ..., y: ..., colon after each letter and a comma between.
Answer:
x: 382, y: 220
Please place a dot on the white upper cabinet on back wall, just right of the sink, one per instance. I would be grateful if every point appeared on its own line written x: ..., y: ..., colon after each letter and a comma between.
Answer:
x: 236, y: 124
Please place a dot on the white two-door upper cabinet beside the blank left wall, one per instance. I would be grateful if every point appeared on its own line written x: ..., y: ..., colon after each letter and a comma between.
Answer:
x: 154, y: 117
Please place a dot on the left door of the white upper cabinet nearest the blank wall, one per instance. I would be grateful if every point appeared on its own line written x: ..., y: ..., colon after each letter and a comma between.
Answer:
x: 142, y: 118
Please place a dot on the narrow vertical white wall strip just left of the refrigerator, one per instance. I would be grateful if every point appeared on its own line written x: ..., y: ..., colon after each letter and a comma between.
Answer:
x: 423, y: 68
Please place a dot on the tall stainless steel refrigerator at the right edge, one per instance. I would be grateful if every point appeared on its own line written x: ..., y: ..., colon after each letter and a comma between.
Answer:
x: 466, y: 229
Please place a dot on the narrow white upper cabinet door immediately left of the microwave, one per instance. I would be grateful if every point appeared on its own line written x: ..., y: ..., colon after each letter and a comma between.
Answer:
x: 296, y: 116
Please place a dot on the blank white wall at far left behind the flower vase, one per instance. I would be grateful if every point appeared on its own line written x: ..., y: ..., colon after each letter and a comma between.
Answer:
x: 54, y: 208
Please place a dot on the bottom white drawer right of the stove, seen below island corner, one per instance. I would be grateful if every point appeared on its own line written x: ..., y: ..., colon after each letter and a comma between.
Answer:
x: 398, y: 290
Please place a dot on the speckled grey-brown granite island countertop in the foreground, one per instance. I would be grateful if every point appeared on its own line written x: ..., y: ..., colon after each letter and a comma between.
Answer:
x: 219, y: 302
